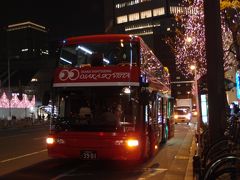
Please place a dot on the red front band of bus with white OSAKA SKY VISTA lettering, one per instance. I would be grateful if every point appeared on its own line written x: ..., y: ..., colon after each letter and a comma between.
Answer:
x: 82, y: 76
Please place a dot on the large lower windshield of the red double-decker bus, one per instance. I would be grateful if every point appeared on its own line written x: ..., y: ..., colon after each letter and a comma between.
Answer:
x: 97, y: 109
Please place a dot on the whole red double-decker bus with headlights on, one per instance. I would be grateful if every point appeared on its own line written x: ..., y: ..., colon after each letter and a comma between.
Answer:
x: 112, y: 97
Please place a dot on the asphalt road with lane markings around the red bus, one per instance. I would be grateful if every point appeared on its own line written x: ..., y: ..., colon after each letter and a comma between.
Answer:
x: 23, y: 155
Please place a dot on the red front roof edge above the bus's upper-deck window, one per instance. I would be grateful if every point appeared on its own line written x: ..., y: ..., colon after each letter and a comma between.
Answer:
x: 101, y: 38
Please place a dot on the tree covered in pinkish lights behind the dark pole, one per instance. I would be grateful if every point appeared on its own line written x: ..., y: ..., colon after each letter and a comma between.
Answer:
x: 189, y: 46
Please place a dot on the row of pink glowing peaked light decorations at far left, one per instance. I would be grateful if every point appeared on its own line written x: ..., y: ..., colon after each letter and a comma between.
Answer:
x: 15, y: 102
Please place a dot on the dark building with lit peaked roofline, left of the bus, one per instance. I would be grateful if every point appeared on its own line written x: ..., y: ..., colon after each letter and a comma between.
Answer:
x: 27, y: 40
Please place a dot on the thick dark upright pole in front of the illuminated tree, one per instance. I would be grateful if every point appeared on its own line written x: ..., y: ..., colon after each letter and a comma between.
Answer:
x: 215, y: 70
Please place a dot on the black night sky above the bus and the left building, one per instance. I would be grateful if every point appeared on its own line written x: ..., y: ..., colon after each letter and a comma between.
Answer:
x: 63, y: 18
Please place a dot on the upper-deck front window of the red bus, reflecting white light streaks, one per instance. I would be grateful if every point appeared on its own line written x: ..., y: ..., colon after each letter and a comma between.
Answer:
x: 97, y: 54
